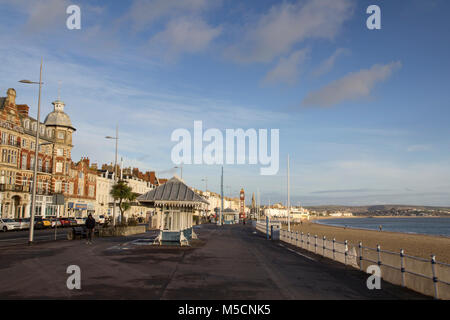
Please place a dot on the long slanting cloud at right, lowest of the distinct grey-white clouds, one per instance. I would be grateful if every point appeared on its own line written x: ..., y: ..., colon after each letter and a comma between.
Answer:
x: 354, y: 86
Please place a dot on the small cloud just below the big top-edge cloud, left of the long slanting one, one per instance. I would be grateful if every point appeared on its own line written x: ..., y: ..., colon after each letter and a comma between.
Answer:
x: 287, y: 69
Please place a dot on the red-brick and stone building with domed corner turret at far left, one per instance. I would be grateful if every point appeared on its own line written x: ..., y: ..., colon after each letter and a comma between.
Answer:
x: 56, y: 171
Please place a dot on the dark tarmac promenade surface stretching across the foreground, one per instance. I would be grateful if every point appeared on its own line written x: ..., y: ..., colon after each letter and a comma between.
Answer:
x: 231, y: 262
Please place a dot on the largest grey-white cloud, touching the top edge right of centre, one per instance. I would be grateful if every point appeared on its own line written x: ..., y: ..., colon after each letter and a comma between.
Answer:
x: 287, y: 24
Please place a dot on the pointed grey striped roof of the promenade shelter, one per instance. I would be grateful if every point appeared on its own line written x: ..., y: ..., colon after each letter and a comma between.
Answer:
x: 173, y: 190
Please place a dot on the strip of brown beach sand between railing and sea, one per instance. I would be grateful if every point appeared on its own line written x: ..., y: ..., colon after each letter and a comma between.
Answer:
x: 413, y: 244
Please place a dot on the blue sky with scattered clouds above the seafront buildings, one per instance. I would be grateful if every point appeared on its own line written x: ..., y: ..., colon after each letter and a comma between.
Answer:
x: 363, y: 114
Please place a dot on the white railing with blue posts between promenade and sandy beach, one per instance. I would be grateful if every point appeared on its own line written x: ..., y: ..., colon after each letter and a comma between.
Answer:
x: 426, y: 276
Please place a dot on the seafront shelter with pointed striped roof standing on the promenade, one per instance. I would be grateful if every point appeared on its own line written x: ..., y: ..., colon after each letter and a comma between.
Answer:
x: 174, y: 203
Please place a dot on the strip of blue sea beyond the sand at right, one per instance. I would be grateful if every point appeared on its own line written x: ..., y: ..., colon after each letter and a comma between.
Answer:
x: 438, y: 226
